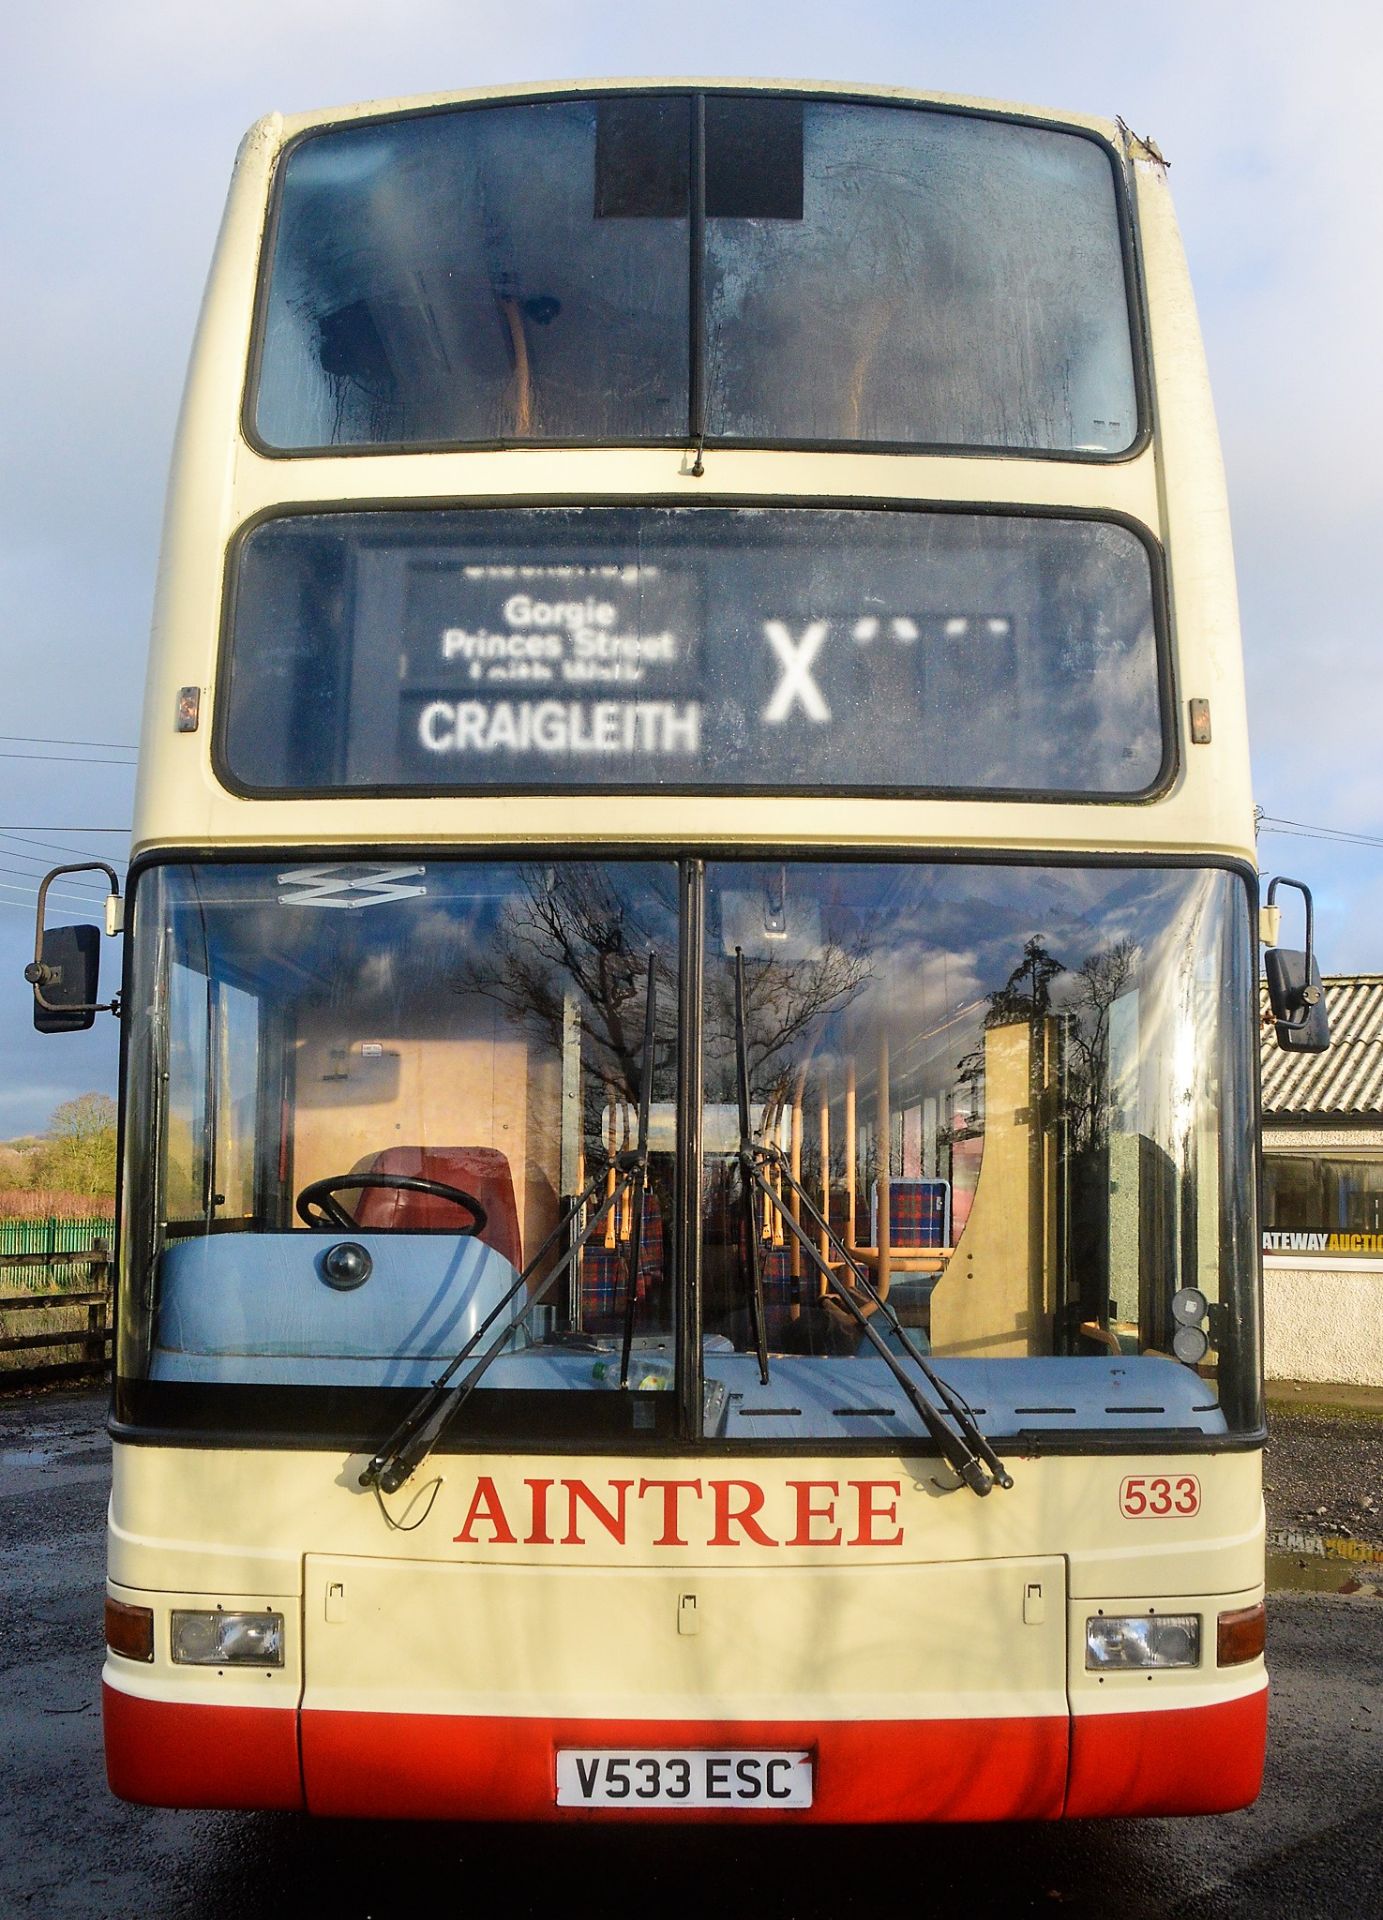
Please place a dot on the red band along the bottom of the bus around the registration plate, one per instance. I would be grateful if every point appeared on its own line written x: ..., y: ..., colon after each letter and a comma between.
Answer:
x: 449, y: 1767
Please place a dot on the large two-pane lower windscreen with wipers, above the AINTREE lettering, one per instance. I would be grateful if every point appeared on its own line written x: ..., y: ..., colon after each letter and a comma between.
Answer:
x: 414, y: 1109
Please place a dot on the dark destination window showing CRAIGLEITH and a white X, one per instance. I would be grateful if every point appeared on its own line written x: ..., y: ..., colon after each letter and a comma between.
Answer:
x: 658, y: 648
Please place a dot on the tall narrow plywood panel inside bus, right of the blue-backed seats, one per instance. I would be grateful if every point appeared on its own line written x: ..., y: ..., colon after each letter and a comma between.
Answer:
x: 990, y: 1299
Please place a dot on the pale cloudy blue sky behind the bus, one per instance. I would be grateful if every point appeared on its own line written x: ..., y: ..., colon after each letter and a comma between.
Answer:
x: 118, y: 130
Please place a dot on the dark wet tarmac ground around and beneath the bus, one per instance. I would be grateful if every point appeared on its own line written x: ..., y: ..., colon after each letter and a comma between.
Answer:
x: 68, y: 1852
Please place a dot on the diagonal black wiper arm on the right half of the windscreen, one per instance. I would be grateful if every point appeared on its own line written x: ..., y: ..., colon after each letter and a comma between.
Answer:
x: 965, y: 1449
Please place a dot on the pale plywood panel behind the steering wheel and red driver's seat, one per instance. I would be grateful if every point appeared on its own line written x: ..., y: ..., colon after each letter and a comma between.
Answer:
x: 402, y: 1086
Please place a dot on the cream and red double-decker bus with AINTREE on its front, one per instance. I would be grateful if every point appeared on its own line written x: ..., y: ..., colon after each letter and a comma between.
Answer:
x: 689, y: 1234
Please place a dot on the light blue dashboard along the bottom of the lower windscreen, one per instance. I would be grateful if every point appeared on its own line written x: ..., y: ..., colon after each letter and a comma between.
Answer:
x: 260, y: 1310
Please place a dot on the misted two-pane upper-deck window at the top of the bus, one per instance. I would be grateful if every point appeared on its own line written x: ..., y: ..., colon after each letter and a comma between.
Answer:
x: 740, y: 268
